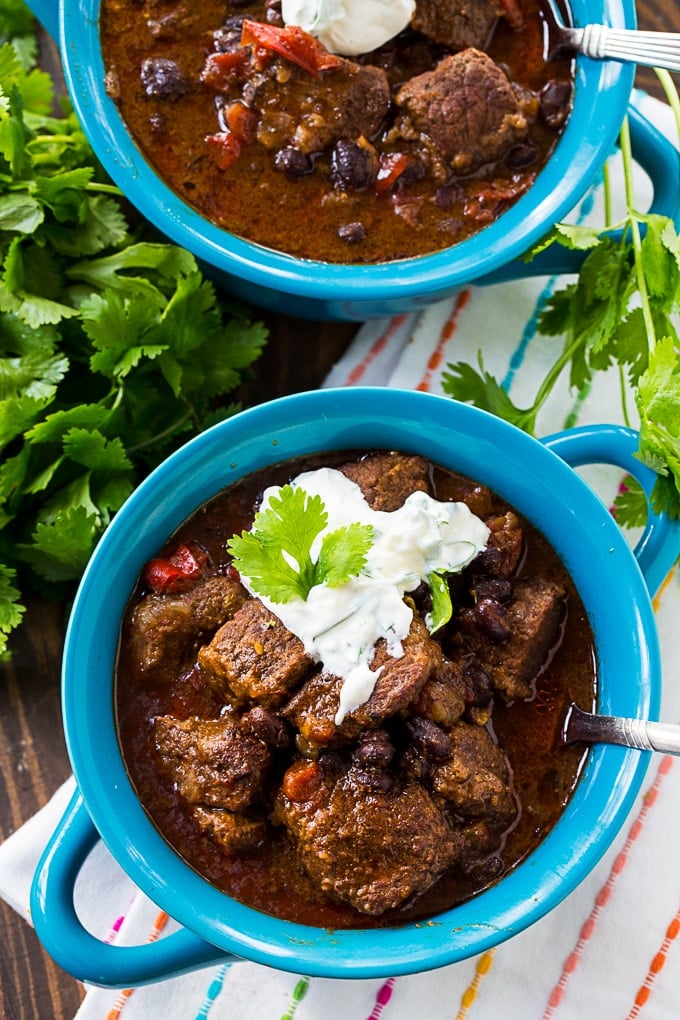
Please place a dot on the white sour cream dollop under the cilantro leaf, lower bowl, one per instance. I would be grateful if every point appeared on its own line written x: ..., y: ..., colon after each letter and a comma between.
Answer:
x: 340, y: 627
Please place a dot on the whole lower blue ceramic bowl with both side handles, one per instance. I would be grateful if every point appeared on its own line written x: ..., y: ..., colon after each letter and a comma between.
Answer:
x: 537, y: 478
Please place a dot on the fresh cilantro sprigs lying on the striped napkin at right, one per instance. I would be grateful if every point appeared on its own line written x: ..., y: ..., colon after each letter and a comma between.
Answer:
x: 619, y: 312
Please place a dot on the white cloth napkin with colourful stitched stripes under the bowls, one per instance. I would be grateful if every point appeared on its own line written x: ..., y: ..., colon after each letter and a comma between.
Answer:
x: 612, y: 948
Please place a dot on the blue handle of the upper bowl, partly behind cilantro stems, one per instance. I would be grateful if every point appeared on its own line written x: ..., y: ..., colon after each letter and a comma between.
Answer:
x: 661, y: 162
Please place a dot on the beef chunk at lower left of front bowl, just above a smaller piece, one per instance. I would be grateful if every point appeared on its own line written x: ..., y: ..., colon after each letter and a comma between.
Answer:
x: 213, y: 761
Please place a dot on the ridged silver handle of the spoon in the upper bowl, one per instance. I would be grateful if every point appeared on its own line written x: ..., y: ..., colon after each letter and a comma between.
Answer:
x: 652, y: 49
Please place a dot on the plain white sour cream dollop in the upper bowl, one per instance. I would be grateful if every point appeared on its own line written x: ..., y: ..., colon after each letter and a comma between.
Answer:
x: 350, y: 27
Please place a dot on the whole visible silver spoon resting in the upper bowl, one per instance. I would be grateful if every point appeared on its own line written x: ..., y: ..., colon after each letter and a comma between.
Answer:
x: 651, y: 49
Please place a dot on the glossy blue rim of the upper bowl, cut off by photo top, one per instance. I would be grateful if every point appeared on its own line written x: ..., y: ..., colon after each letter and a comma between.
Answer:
x: 601, y: 99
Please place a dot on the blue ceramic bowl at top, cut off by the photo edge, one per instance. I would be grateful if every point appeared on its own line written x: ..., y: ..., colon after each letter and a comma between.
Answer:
x: 318, y: 290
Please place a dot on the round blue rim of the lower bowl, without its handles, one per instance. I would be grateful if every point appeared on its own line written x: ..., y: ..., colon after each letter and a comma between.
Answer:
x: 535, y: 887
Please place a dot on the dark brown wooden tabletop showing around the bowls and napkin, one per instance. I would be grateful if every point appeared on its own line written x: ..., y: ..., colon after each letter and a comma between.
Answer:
x: 33, y: 757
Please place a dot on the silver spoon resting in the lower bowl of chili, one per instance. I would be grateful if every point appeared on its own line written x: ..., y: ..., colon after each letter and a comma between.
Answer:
x: 594, y: 729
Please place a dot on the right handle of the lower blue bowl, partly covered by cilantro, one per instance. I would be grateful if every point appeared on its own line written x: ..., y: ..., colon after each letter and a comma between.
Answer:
x: 659, y: 547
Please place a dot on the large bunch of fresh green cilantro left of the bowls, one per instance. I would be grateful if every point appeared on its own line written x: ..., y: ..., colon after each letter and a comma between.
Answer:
x: 114, y: 347
